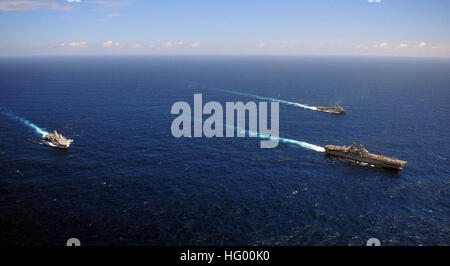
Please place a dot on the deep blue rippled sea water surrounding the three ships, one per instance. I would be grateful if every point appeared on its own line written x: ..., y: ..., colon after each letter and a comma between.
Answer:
x: 127, y: 181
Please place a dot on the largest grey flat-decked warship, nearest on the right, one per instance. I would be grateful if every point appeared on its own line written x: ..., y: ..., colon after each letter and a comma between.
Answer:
x: 362, y: 155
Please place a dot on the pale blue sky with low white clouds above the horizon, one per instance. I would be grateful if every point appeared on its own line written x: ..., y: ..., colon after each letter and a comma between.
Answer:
x: 418, y: 28
